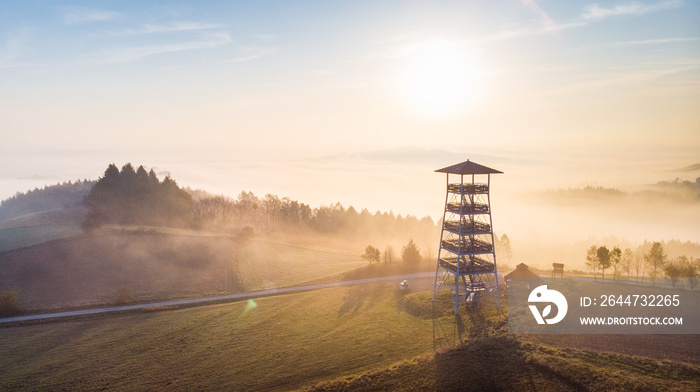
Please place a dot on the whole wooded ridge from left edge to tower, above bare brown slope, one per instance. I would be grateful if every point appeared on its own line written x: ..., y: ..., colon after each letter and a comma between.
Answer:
x: 136, y: 197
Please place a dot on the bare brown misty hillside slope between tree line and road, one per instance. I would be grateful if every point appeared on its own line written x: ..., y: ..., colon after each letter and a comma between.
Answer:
x: 91, y: 269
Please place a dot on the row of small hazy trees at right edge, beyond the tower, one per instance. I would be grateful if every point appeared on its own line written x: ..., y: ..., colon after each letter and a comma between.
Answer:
x: 644, y: 261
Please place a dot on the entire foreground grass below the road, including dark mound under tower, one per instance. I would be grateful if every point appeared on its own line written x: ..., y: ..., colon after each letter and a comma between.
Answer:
x: 354, y: 338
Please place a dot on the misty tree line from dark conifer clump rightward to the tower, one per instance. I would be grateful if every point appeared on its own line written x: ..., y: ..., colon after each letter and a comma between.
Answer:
x: 135, y: 196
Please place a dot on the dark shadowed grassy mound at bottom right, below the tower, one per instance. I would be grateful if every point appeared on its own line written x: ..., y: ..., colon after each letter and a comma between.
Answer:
x: 500, y: 362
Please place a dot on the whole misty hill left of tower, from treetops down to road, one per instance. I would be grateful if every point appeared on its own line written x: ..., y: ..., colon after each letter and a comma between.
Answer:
x: 151, y: 240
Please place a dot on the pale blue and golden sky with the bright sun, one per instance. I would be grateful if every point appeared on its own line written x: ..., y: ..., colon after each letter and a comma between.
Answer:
x: 355, y: 102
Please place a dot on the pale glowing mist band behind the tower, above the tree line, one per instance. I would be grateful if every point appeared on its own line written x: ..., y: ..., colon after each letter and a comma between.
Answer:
x: 549, y: 211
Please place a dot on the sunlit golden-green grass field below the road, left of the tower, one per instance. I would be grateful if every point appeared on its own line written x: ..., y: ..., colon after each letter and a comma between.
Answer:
x: 282, y: 343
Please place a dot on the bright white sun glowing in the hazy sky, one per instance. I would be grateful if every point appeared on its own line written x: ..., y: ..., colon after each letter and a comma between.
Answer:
x: 439, y: 80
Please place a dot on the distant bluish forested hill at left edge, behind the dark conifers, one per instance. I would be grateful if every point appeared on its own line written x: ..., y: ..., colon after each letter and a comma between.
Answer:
x: 51, y: 197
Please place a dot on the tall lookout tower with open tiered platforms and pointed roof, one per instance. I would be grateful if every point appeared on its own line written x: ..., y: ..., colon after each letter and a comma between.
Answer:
x: 467, y: 258
